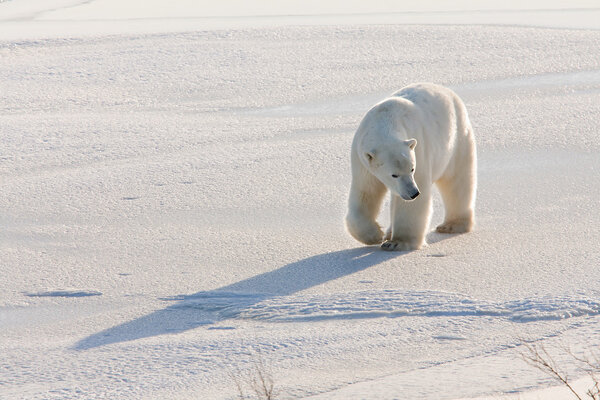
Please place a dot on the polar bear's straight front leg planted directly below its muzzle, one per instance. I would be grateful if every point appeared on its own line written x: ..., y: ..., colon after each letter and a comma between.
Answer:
x: 410, y: 220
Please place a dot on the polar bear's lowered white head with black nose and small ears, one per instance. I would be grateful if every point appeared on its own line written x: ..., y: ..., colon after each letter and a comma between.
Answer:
x: 394, y: 165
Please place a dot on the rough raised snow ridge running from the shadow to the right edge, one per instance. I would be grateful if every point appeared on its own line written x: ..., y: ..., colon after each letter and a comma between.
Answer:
x: 385, y: 304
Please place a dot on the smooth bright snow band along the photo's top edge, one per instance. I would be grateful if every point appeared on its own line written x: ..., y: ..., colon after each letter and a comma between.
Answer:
x: 34, y: 19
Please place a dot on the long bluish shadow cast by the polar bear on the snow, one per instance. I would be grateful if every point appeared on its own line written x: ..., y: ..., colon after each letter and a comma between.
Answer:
x: 206, y: 308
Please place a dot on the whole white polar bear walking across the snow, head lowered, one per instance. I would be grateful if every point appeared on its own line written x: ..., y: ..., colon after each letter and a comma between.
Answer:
x: 418, y: 136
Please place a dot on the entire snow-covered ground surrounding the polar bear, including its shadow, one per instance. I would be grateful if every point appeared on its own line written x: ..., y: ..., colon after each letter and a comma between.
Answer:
x: 173, y: 183
